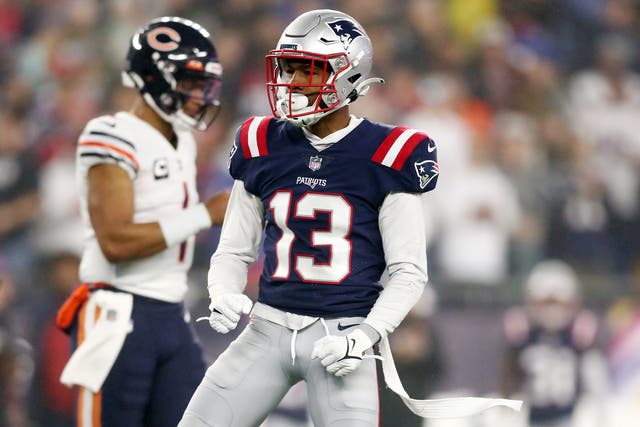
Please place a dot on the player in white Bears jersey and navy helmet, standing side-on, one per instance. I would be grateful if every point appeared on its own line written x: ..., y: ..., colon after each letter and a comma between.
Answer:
x: 136, y: 175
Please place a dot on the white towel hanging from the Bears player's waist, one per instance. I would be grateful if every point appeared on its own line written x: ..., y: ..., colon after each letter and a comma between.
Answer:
x: 91, y: 362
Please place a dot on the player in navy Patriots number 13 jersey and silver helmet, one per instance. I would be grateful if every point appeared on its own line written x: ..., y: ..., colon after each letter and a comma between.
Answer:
x: 336, y: 200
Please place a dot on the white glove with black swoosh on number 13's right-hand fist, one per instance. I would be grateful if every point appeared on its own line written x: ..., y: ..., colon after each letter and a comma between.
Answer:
x: 341, y: 355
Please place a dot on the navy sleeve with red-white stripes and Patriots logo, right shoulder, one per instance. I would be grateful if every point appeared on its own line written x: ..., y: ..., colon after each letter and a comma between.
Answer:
x: 412, y: 153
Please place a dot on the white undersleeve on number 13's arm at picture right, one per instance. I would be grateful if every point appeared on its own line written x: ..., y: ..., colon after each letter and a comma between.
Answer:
x: 402, y: 227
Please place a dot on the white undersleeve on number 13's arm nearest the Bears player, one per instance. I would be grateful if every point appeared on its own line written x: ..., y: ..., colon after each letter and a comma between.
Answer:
x: 239, y: 242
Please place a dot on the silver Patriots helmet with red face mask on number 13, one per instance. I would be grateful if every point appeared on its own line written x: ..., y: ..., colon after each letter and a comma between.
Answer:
x: 328, y: 39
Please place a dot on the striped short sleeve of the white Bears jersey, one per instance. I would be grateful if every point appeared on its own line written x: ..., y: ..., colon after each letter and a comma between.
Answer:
x: 107, y: 139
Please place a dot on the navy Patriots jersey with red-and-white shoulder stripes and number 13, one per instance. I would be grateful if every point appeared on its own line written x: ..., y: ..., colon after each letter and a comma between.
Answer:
x: 322, y: 244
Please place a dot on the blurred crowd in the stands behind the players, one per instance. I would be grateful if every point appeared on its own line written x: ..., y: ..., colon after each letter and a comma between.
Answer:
x: 534, y: 105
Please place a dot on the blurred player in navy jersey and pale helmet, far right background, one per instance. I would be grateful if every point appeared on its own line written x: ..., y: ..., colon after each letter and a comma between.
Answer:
x: 552, y: 361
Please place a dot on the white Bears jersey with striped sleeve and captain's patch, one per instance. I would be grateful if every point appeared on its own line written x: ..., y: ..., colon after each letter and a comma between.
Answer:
x: 163, y: 183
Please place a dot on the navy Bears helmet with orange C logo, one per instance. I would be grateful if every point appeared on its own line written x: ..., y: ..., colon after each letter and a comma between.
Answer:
x: 170, y: 61
